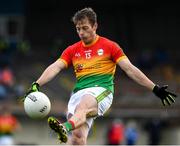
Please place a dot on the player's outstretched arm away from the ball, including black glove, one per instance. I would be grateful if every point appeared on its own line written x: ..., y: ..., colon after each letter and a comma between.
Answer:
x: 138, y: 76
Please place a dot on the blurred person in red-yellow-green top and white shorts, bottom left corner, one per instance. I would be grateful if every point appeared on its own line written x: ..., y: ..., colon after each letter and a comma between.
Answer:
x: 8, y: 125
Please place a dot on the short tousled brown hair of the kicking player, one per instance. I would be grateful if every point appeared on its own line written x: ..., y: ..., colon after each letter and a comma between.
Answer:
x: 83, y: 14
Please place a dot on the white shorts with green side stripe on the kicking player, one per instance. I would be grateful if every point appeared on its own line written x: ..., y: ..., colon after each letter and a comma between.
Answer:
x: 103, y: 96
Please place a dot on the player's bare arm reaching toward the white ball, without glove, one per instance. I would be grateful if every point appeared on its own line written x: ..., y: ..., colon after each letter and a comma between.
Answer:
x: 51, y: 71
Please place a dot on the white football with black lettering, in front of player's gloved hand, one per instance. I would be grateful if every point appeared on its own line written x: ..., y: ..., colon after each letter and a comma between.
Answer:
x: 37, y: 105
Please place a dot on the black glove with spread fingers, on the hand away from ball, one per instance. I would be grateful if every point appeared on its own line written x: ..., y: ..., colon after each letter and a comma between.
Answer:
x: 166, y: 97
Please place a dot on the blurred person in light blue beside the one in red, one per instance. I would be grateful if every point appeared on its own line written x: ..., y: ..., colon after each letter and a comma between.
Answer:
x: 131, y: 133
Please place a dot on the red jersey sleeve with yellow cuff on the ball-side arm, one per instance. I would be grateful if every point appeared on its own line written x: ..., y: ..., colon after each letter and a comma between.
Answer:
x: 66, y: 56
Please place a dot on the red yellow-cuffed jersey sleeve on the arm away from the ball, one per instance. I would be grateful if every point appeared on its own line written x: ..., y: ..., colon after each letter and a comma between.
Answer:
x: 117, y: 52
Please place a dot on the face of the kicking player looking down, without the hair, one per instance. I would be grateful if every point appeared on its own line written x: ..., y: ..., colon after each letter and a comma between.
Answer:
x: 86, y: 31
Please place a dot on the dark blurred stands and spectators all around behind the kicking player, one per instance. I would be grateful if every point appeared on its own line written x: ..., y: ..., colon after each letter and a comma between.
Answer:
x: 33, y: 34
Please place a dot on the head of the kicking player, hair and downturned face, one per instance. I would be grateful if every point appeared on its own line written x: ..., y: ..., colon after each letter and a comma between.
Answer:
x: 85, y: 21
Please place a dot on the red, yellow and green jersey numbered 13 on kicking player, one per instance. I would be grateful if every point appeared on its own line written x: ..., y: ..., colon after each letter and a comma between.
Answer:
x: 94, y: 64
